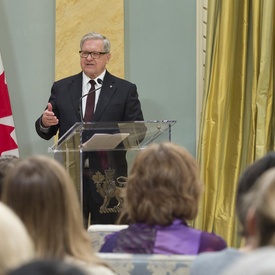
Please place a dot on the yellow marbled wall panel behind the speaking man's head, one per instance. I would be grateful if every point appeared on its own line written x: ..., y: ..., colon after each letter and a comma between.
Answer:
x: 74, y: 18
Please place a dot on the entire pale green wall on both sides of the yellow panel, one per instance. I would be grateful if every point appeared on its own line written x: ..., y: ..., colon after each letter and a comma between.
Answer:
x: 160, y: 50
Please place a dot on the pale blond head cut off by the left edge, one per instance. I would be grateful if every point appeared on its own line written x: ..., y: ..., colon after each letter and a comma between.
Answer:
x: 16, y: 246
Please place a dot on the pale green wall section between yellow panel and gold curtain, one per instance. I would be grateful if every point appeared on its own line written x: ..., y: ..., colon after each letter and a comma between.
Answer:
x: 161, y: 60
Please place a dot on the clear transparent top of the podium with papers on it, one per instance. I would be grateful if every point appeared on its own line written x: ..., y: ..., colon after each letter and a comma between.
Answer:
x: 113, y: 135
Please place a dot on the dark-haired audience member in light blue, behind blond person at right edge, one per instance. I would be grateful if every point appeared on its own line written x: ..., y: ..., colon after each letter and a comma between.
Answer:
x: 216, y: 262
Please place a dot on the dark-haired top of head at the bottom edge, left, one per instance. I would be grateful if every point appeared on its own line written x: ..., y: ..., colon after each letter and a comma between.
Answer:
x: 46, y: 267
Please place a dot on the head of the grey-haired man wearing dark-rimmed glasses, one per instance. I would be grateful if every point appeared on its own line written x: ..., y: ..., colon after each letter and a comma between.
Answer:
x: 94, y: 54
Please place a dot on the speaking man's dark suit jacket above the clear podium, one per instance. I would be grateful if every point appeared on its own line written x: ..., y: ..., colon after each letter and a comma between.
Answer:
x: 118, y: 101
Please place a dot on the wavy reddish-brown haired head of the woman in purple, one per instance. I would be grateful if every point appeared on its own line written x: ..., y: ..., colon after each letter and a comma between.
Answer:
x: 163, y: 185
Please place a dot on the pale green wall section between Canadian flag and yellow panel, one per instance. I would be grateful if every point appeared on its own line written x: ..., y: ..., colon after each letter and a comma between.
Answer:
x: 27, y: 48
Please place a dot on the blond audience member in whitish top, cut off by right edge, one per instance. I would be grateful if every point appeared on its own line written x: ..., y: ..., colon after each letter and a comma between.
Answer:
x: 260, y: 225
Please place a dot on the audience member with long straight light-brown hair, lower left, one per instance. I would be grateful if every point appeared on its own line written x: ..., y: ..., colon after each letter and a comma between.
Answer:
x: 41, y: 192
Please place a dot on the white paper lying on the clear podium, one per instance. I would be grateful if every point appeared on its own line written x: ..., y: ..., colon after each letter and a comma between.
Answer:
x: 104, y: 141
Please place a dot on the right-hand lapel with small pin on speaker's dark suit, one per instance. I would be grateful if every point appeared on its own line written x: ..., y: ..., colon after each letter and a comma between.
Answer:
x: 106, y: 93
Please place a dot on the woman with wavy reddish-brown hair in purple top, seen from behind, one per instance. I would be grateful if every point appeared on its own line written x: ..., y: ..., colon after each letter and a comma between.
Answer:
x: 162, y: 193
